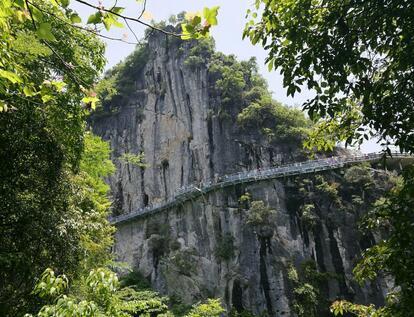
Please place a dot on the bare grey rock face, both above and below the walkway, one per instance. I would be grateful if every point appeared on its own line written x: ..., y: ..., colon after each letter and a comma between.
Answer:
x: 206, y: 248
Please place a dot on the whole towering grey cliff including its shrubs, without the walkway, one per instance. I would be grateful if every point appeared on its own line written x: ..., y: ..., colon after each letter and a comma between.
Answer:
x: 197, y: 115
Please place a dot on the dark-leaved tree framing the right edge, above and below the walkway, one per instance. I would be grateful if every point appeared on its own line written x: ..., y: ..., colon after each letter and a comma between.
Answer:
x: 356, y: 56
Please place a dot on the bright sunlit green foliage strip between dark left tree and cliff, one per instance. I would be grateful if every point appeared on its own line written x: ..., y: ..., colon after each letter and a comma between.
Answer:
x: 91, y: 203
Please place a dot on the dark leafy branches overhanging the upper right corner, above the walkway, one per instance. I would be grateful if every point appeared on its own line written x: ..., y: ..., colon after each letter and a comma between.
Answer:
x: 349, y: 53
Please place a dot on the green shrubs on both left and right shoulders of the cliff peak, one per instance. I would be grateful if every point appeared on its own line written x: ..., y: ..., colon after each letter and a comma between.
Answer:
x: 237, y: 91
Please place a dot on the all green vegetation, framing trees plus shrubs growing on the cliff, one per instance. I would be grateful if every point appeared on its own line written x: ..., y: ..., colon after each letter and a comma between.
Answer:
x: 55, y: 238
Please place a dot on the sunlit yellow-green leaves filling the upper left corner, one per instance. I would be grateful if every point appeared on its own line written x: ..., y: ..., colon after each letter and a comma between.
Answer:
x: 24, y: 68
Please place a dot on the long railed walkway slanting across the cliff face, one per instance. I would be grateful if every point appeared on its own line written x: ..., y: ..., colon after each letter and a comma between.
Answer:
x: 184, y: 193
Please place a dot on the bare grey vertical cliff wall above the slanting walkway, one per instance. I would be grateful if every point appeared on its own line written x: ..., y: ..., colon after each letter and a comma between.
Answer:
x: 173, y: 113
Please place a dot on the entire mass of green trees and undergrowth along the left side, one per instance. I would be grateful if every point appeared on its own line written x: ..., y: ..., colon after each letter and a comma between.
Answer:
x: 55, y: 237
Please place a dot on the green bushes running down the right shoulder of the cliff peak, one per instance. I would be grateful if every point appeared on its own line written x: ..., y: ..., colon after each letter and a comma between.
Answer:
x: 243, y: 92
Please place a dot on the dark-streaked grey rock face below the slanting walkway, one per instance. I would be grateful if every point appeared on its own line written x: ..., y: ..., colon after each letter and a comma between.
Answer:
x: 177, y: 251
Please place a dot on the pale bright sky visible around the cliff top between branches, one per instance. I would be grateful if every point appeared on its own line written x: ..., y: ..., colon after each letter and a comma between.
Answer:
x: 228, y: 37
